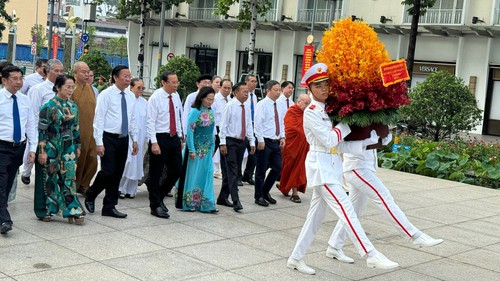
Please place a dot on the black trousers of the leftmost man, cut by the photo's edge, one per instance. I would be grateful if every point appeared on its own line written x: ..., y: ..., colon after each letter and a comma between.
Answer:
x: 11, y: 157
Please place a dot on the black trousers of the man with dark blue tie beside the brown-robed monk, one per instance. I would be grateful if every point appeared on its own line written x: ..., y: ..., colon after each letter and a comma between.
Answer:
x: 112, y: 166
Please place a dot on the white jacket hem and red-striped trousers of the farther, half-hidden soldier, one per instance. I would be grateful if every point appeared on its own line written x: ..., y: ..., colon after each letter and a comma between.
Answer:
x: 359, y: 171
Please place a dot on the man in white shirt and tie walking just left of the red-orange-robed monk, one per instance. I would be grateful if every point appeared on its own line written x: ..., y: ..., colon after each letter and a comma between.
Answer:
x: 270, y: 134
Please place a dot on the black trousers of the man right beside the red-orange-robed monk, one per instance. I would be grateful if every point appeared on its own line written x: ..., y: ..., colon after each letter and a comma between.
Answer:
x: 269, y: 157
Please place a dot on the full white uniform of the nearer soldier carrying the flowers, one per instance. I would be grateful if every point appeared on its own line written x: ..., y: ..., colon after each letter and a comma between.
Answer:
x: 324, y: 171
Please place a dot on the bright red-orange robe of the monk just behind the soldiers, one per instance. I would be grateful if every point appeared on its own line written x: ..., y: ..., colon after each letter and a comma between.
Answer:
x: 293, y: 169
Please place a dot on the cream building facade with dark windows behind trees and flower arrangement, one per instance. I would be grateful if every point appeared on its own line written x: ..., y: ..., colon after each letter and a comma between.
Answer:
x: 458, y: 36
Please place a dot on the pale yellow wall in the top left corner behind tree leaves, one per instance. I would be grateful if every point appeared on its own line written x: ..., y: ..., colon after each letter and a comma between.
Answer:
x: 26, y: 12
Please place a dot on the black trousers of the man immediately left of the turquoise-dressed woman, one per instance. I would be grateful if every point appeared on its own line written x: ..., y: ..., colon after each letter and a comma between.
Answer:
x: 170, y: 157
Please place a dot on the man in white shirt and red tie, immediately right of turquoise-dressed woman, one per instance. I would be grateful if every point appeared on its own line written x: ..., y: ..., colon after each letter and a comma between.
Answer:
x: 236, y: 132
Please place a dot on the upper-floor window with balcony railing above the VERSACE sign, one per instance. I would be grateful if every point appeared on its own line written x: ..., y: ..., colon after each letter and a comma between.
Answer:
x: 443, y: 12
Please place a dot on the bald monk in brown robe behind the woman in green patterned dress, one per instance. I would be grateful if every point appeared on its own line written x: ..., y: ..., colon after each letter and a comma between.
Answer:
x: 85, y: 99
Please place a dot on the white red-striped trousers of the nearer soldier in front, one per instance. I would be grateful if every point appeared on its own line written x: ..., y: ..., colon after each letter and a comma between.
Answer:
x: 333, y: 196
